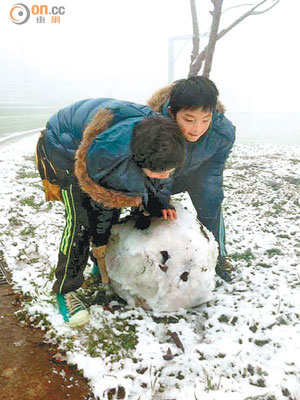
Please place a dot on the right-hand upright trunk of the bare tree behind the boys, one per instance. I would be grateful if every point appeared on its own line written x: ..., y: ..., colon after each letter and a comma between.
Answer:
x: 213, y: 37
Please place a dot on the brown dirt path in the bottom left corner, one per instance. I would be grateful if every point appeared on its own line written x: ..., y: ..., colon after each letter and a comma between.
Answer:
x: 28, y: 366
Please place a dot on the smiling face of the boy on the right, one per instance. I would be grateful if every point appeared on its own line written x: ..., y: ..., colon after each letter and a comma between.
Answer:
x: 193, y: 123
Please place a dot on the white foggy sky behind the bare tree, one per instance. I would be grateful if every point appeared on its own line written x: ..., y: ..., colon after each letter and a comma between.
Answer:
x: 119, y: 48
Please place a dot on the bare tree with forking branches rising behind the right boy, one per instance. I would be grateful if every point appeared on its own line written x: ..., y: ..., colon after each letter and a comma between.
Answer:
x: 204, y: 58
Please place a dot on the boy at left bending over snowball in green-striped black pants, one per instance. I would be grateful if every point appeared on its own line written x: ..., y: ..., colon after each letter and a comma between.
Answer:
x: 98, y: 156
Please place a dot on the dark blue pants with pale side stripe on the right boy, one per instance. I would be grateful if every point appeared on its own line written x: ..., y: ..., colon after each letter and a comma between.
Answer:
x: 207, y: 204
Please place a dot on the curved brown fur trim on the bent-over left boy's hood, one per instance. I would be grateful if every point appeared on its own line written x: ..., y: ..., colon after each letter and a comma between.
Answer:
x: 107, y: 197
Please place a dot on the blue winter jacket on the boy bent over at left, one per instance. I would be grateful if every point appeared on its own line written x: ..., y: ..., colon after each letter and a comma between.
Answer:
x: 108, y: 157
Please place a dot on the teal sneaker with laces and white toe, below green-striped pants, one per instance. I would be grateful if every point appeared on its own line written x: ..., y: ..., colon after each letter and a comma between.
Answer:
x: 72, y: 309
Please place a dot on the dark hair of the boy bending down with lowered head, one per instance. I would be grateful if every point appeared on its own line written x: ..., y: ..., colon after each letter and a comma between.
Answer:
x: 157, y: 144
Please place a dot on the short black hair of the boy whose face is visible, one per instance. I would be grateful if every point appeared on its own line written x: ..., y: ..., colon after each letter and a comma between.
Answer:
x: 193, y: 92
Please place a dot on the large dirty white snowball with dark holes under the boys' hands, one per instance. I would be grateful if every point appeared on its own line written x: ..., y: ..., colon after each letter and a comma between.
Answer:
x: 166, y: 267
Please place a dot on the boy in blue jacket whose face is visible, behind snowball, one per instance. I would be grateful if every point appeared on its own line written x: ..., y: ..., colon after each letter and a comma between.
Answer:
x: 209, y: 137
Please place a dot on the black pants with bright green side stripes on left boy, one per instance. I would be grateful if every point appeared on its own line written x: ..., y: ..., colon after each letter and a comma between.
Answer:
x: 86, y: 222
